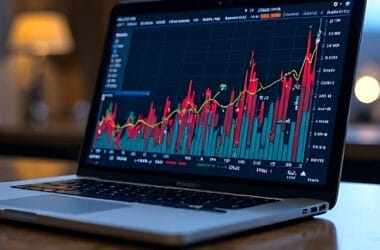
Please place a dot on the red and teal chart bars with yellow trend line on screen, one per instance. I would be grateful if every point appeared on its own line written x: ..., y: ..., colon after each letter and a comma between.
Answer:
x: 247, y: 124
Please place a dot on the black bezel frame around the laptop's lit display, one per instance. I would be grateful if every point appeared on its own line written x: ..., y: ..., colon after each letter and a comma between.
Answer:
x: 327, y: 192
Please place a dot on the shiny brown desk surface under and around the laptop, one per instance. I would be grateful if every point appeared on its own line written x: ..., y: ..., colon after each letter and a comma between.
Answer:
x: 353, y: 224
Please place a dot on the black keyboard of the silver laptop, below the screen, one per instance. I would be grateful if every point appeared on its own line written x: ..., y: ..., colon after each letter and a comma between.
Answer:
x: 178, y: 198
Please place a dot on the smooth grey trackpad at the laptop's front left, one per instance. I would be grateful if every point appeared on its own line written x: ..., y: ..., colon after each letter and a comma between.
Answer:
x: 61, y: 204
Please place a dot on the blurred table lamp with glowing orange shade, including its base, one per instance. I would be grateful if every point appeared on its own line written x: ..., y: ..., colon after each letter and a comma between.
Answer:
x: 38, y: 34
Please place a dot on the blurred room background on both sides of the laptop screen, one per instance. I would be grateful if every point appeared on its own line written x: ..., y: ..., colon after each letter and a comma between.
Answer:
x: 47, y: 75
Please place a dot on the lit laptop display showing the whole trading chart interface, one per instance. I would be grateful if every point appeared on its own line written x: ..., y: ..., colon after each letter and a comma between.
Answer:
x: 246, y: 93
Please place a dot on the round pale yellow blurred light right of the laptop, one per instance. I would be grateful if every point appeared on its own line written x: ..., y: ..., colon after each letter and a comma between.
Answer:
x: 367, y: 89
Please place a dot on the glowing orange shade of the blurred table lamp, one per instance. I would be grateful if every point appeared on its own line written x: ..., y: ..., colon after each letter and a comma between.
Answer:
x: 41, y: 33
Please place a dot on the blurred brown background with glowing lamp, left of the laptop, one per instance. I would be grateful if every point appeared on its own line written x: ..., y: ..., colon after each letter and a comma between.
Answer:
x: 47, y: 73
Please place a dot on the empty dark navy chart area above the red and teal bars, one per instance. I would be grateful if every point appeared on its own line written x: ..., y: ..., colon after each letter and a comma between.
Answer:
x: 164, y: 60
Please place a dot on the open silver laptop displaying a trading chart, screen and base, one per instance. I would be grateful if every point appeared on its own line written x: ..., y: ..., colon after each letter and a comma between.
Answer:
x: 209, y: 118
